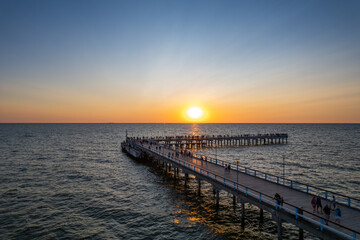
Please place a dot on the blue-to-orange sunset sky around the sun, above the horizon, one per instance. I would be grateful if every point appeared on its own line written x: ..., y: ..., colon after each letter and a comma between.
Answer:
x: 148, y: 61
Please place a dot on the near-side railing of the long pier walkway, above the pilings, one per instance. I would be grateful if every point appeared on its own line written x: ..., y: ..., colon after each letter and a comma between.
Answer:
x: 261, y: 197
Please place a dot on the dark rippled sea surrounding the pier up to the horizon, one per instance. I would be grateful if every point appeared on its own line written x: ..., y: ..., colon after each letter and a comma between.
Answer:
x: 71, y: 181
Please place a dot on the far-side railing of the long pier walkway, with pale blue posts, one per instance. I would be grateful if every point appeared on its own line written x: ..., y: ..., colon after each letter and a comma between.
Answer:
x: 325, y: 194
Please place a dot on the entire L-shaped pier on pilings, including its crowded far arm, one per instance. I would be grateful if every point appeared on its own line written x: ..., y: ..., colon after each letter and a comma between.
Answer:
x: 250, y: 185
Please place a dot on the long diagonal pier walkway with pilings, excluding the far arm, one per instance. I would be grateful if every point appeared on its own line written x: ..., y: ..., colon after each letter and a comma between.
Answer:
x: 258, y: 188
